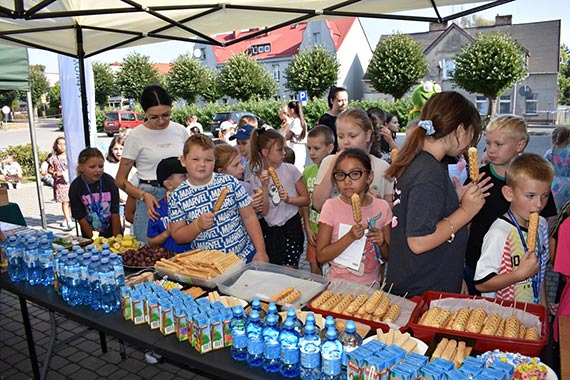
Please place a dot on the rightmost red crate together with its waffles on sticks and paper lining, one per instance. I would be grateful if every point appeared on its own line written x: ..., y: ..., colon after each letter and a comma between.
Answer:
x: 508, y: 326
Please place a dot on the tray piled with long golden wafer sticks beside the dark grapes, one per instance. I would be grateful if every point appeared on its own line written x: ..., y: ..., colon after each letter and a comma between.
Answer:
x: 200, y: 267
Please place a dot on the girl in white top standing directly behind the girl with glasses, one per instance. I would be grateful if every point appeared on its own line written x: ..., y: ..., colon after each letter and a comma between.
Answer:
x: 354, y: 130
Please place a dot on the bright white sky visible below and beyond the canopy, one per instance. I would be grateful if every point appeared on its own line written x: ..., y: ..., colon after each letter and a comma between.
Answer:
x: 523, y: 11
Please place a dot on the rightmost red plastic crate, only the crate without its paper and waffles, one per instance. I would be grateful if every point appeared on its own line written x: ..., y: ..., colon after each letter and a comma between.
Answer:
x: 483, y: 342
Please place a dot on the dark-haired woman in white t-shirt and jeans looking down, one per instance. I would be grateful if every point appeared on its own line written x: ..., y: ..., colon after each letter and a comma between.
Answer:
x: 145, y: 146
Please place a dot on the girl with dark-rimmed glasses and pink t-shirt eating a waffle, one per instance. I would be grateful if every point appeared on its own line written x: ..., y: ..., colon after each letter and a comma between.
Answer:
x: 340, y: 235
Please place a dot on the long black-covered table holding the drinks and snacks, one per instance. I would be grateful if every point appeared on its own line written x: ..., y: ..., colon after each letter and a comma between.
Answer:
x: 218, y: 363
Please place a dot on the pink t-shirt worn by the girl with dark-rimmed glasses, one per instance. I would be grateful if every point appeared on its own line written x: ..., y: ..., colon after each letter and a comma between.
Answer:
x: 336, y: 212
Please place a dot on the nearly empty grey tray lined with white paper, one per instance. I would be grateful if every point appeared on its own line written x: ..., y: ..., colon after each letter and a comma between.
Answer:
x: 263, y: 280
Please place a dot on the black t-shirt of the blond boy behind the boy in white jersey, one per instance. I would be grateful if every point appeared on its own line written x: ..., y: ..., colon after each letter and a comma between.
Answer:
x: 495, y: 206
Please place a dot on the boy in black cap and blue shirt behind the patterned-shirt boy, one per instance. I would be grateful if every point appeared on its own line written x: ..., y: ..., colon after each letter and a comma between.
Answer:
x: 169, y: 173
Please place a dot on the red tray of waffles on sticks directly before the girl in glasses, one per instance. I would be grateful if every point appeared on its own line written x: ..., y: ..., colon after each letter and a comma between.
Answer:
x: 369, y: 305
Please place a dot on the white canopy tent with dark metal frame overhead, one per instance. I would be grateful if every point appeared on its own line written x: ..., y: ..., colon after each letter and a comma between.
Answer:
x: 84, y: 28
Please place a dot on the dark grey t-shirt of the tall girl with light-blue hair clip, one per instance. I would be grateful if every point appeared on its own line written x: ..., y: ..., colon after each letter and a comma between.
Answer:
x: 424, y: 195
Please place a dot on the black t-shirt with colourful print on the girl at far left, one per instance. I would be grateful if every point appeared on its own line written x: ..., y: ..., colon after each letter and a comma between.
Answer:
x: 96, y: 207
